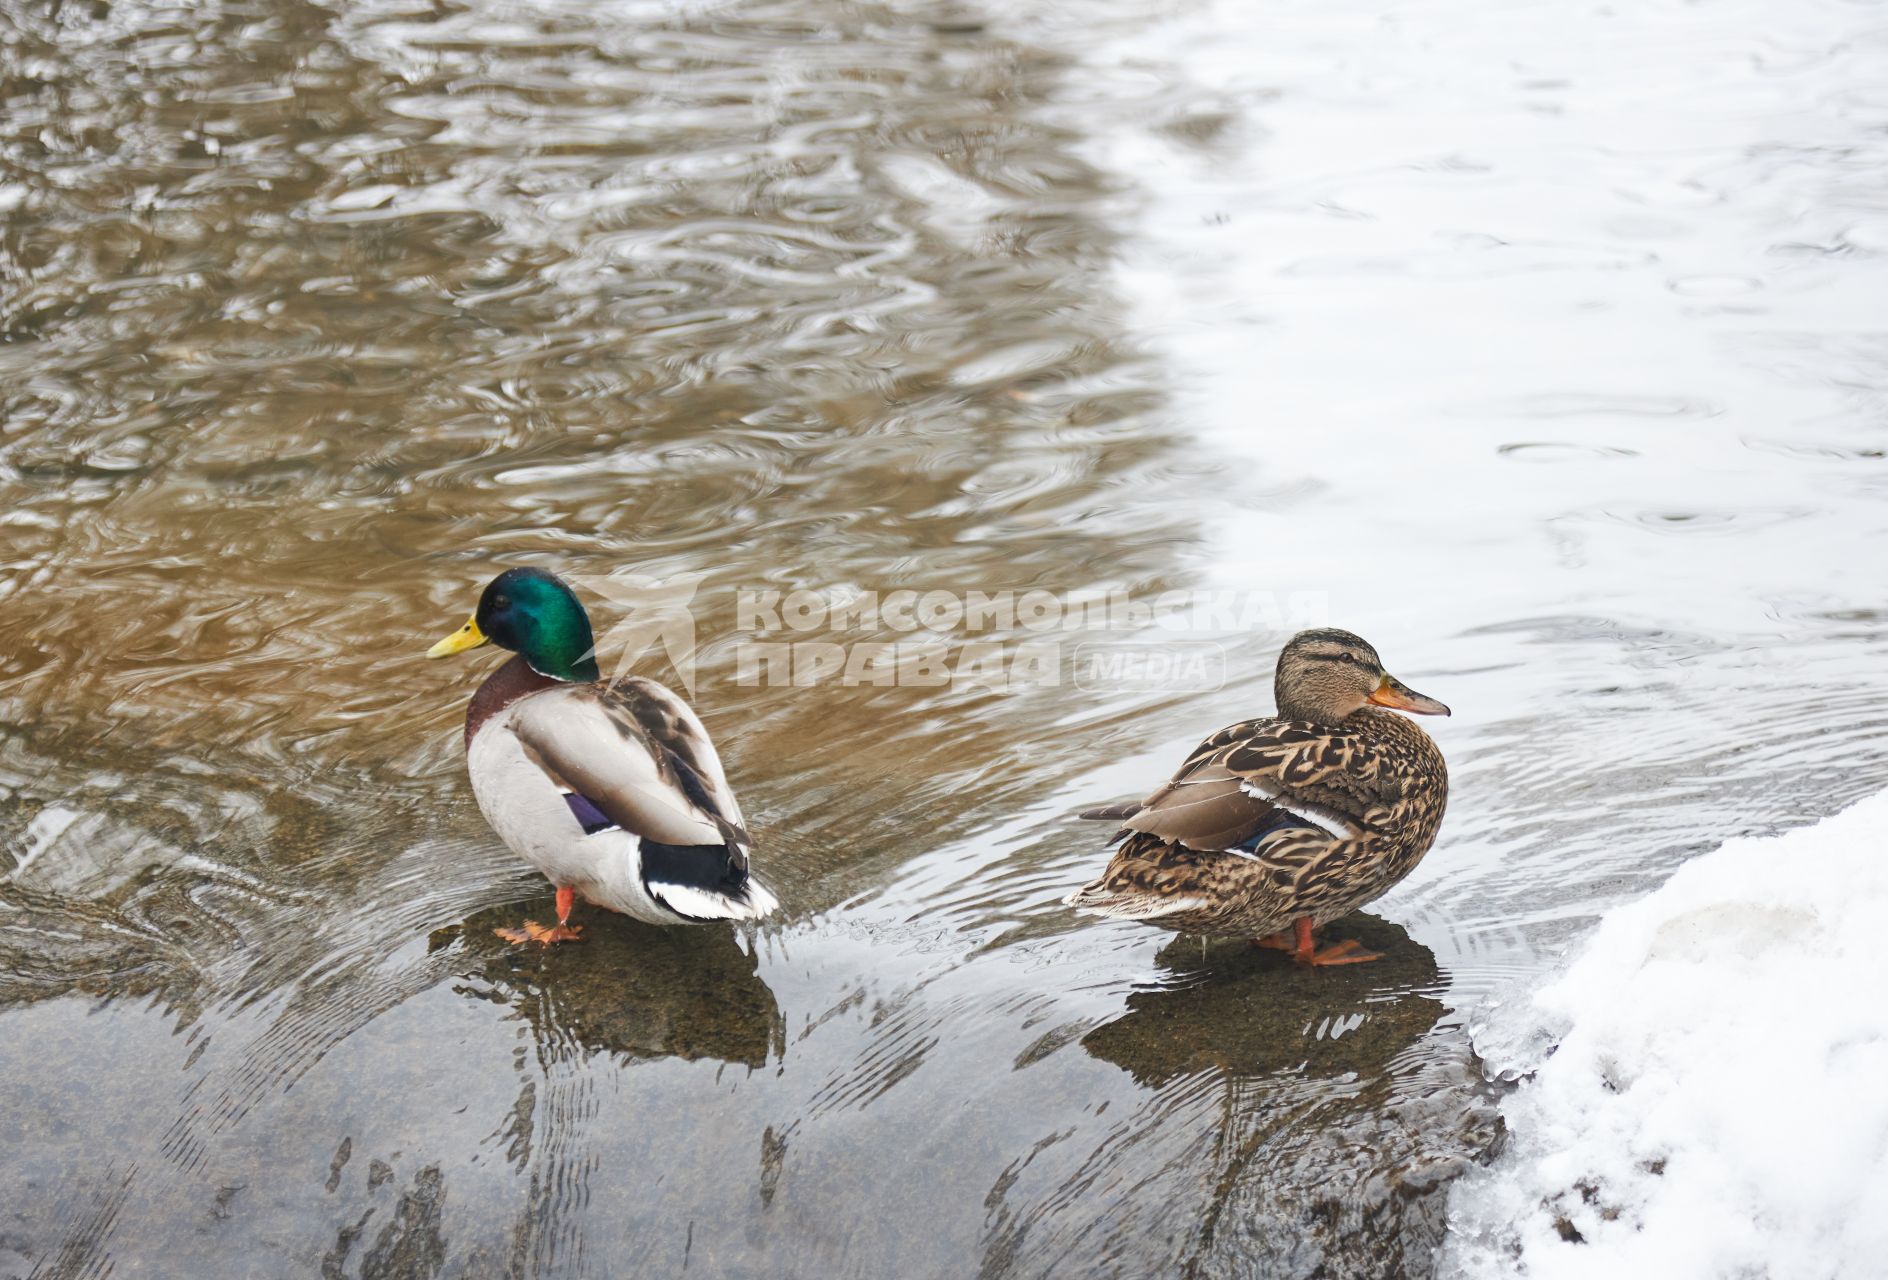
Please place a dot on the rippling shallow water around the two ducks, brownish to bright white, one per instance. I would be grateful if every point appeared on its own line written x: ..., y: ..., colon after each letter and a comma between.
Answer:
x: 1547, y: 348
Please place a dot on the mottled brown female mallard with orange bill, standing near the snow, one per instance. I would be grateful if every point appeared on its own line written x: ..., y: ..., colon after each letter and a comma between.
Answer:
x: 1289, y: 822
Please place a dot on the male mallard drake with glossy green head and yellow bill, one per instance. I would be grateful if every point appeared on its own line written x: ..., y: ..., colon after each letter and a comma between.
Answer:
x: 611, y: 788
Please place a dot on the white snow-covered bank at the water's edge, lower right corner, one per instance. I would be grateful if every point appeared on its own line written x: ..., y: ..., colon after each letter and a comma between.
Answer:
x: 1719, y: 1098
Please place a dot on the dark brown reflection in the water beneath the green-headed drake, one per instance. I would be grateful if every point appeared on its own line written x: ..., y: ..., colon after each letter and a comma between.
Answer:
x: 635, y: 990
